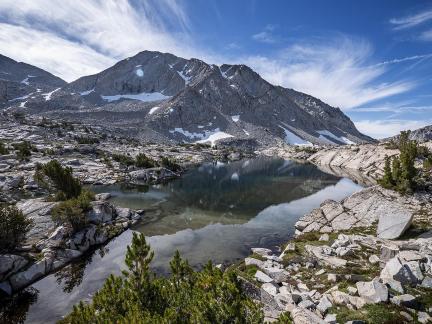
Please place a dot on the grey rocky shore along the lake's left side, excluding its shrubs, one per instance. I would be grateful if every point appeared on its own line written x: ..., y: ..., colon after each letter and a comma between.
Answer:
x: 91, y: 154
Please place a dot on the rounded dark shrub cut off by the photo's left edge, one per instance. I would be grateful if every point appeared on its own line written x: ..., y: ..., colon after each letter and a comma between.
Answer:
x: 13, y: 227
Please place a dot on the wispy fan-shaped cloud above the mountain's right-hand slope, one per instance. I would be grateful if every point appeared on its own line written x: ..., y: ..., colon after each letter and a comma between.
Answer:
x: 336, y: 71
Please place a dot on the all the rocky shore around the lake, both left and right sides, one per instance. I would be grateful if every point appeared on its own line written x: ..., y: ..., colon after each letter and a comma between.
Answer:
x: 372, y: 248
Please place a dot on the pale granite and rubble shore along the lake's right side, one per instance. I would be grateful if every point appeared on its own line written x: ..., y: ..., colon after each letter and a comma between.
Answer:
x: 367, y: 258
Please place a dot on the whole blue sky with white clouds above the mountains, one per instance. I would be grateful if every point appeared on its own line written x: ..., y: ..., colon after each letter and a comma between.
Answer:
x: 373, y: 59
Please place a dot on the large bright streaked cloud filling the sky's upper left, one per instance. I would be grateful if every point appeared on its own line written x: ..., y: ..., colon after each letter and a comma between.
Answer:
x: 90, y: 32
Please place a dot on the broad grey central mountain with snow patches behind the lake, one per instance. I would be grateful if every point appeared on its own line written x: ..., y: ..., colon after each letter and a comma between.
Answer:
x: 159, y: 96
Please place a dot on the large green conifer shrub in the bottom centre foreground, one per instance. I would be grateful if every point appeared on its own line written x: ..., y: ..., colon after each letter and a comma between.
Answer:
x: 186, y: 296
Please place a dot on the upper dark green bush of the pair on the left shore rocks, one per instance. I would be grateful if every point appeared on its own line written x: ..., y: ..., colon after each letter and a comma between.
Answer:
x: 52, y: 174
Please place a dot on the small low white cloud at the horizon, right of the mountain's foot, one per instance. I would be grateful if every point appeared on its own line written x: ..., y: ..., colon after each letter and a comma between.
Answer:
x: 389, y: 127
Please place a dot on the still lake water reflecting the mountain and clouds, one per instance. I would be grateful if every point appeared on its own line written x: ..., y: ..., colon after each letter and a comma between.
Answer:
x: 214, y: 212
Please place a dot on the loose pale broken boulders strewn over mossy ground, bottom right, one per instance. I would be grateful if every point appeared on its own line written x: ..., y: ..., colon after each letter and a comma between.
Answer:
x: 309, y: 298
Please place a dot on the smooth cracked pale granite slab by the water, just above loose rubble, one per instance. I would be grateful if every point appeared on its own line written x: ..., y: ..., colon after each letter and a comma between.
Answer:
x: 392, y: 211
